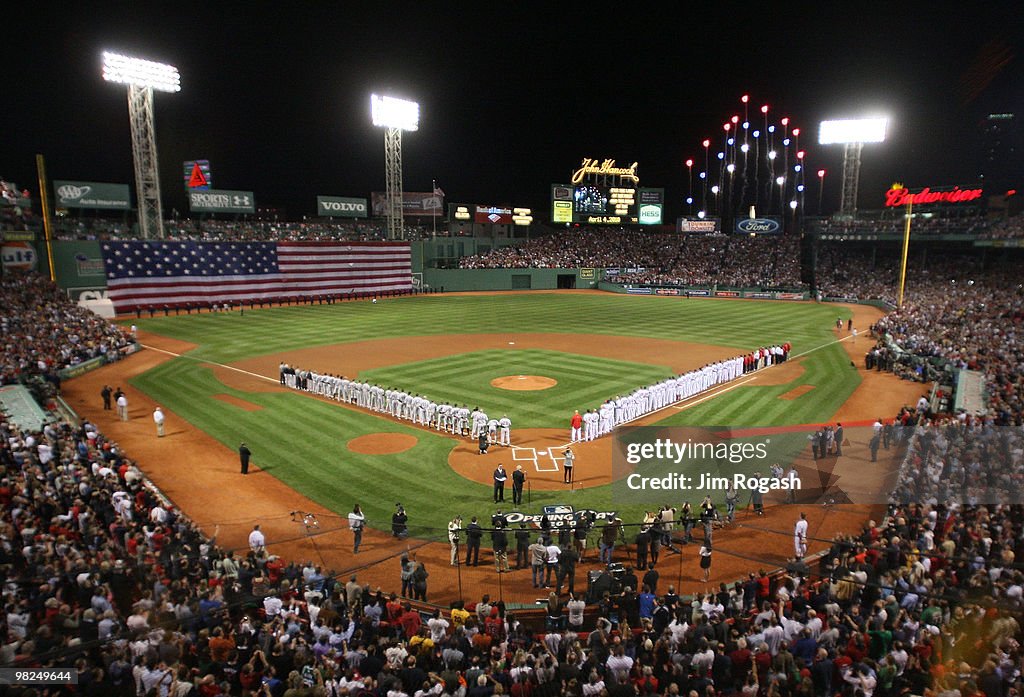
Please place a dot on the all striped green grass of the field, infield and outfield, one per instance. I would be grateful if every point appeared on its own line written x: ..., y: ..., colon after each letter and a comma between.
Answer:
x: 303, y: 442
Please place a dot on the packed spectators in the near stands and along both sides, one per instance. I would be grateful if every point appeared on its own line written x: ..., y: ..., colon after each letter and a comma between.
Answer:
x: 99, y: 573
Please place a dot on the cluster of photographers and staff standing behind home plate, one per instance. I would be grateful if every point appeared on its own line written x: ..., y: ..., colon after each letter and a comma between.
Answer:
x: 654, y: 534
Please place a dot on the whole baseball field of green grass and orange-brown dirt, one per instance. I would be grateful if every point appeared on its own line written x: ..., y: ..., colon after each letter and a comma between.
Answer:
x: 534, y: 357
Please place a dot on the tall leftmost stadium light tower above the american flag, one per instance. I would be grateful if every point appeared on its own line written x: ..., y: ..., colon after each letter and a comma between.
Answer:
x: 143, y: 77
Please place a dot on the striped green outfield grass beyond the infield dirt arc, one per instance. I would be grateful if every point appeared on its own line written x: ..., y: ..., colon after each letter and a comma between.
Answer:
x: 743, y: 325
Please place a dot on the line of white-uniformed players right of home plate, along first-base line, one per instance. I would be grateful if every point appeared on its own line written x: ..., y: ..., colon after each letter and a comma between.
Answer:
x: 621, y: 410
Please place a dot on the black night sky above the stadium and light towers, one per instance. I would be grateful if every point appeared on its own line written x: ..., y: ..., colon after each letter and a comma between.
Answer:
x: 513, y: 96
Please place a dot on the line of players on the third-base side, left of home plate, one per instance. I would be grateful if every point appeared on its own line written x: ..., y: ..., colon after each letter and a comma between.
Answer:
x: 454, y: 419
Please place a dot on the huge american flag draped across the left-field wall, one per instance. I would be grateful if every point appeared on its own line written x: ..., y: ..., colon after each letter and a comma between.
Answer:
x: 143, y: 274
